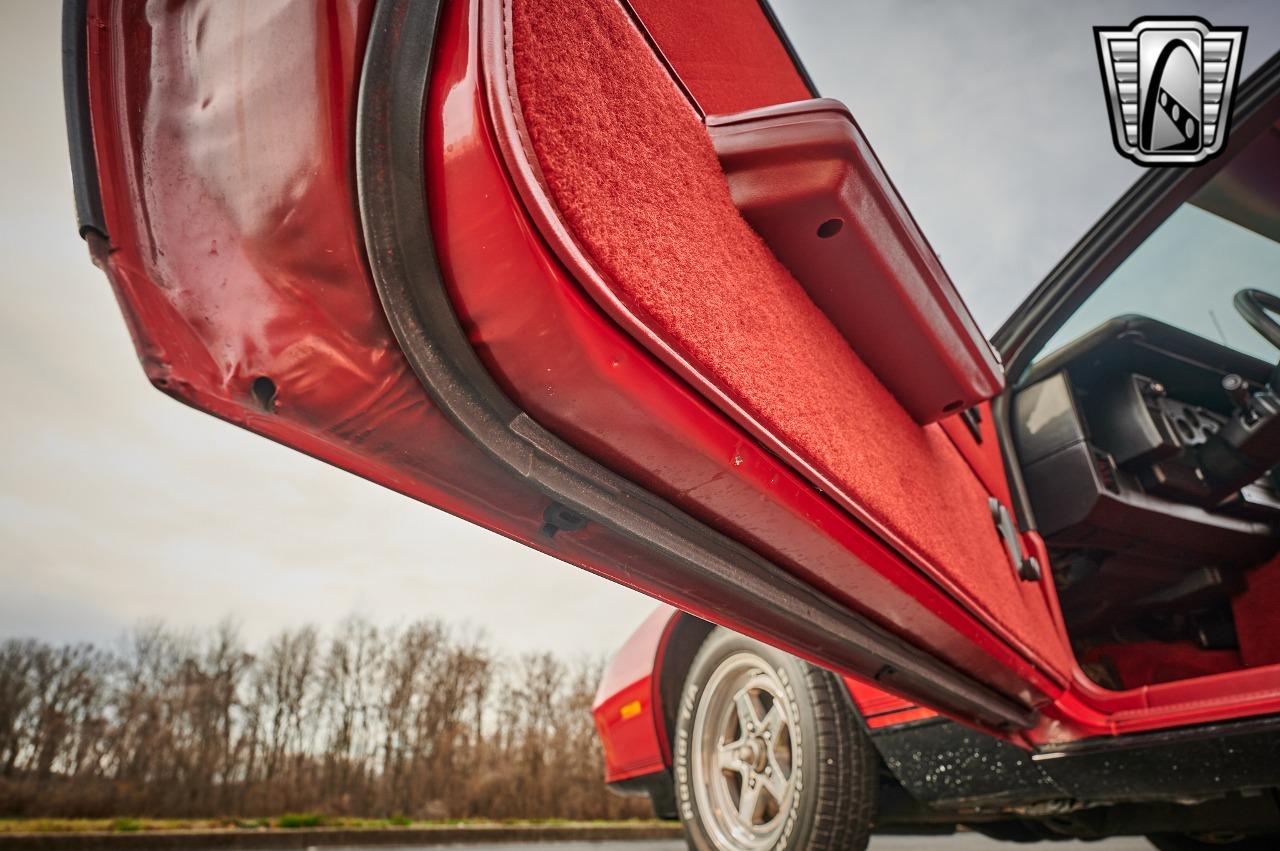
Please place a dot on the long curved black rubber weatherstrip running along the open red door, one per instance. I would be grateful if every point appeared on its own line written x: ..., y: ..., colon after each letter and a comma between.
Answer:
x: 712, y: 570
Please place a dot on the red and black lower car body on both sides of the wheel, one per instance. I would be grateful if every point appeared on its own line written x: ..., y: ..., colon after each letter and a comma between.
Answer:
x: 938, y: 771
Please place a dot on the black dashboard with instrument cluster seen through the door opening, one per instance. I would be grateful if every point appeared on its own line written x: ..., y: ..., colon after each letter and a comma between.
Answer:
x: 1117, y: 437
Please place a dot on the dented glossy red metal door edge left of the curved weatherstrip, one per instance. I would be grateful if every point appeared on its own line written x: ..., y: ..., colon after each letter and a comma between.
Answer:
x: 223, y: 155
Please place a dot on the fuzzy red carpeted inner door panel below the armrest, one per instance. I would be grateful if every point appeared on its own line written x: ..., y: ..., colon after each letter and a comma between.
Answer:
x: 666, y: 254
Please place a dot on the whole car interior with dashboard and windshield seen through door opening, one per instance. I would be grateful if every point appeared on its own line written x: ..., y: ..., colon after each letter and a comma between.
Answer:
x: 1148, y: 436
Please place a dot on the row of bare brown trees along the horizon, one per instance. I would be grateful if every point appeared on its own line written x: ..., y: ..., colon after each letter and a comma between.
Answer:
x: 417, y: 721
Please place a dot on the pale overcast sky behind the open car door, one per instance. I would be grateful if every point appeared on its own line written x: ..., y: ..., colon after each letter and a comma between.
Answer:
x: 118, y: 505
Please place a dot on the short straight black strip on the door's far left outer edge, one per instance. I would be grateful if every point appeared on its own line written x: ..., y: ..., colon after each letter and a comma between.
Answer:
x: 80, y: 127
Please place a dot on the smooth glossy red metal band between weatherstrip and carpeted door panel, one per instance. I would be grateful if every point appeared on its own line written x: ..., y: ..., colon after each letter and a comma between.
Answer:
x: 602, y: 392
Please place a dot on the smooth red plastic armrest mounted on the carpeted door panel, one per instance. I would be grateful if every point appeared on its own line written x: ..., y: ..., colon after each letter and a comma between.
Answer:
x: 807, y: 181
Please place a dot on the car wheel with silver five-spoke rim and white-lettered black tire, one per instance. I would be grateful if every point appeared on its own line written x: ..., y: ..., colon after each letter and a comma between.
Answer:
x: 757, y: 722
